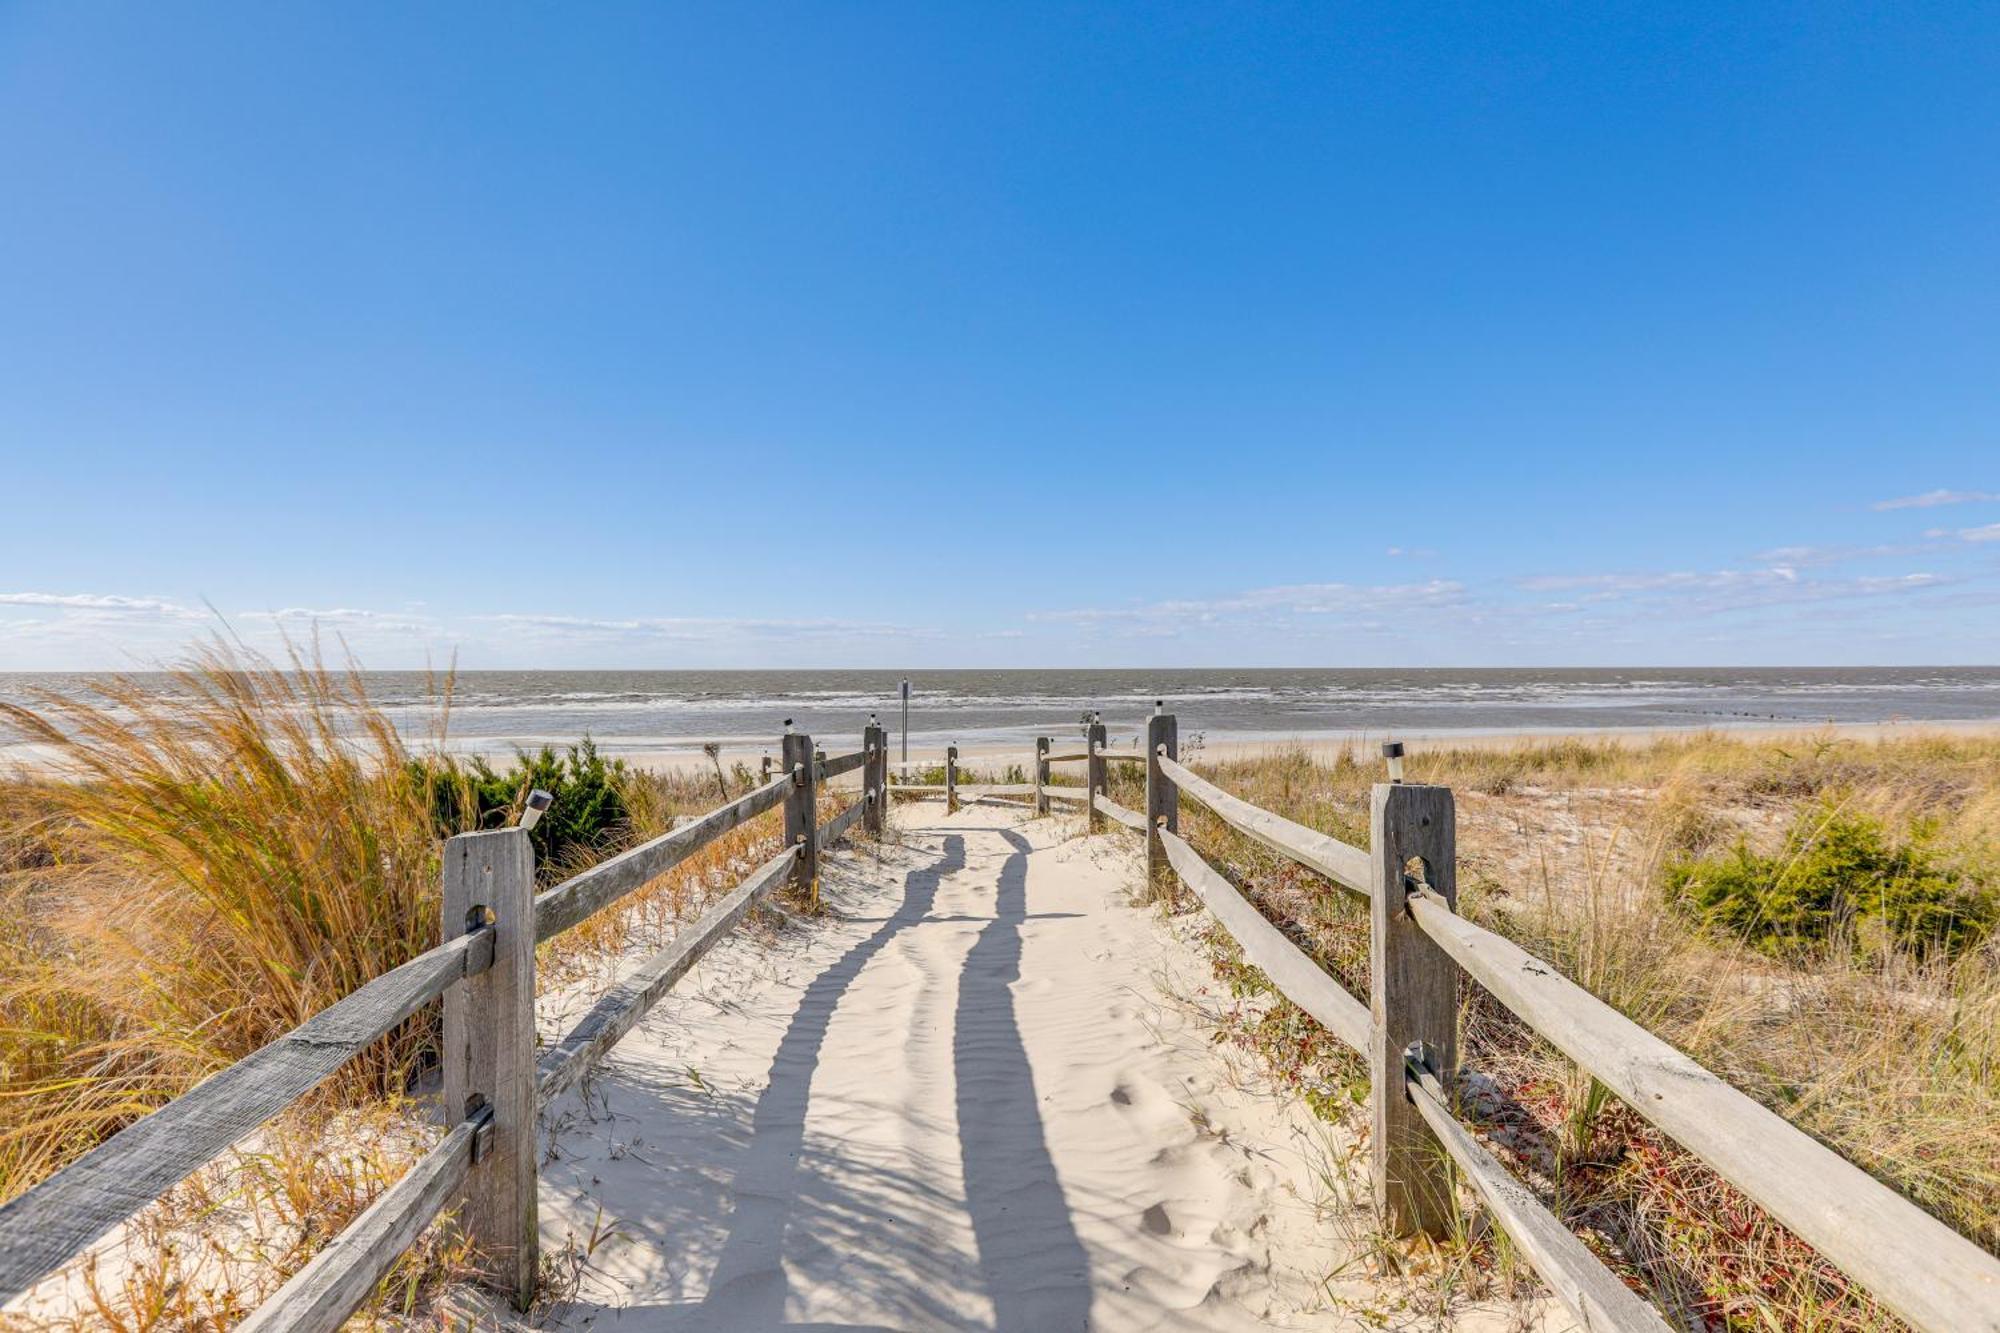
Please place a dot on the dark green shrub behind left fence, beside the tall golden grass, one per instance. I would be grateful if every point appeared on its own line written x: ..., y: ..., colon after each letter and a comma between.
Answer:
x: 589, y: 814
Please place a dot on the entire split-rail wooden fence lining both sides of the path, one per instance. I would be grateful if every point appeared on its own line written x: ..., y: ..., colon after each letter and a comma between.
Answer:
x: 495, y: 1084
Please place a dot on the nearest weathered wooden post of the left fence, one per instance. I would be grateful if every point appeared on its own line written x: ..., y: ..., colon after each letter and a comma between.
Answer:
x: 489, y: 1052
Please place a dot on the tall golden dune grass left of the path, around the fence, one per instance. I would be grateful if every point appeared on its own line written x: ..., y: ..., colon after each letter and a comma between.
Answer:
x: 209, y: 866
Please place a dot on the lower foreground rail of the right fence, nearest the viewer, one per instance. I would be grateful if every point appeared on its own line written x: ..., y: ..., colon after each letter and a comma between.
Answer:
x: 1581, y: 1282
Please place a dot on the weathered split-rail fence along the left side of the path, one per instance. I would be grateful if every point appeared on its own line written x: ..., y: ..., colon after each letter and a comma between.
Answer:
x: 495, y: 1086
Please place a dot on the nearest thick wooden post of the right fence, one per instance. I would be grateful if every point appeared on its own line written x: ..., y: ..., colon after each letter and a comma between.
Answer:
x: 1413, y: 994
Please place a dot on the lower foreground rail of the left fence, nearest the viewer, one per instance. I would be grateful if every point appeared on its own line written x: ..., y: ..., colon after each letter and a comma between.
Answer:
x: 347, y: 1270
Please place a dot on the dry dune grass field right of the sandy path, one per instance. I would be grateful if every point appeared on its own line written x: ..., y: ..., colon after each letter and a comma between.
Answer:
x: 1885, y: 1048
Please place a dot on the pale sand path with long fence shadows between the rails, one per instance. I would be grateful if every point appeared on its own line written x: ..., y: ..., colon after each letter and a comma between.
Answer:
x: 965, y: 1102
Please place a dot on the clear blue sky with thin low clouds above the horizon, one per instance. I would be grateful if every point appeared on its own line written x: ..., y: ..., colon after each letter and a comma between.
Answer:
x: 1003, y: 335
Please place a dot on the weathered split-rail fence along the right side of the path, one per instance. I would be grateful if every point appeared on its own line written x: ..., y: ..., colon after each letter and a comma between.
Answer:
x: 1913, y: 1264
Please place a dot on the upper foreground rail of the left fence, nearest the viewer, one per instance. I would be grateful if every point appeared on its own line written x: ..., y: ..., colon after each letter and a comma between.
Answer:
x: 65, y: 1214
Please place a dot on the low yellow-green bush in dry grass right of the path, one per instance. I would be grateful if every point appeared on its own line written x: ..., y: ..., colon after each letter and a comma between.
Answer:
x: 1839, y: 878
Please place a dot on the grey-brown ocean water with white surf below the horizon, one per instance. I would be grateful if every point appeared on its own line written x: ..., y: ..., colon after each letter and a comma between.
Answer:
x: 647, y: 712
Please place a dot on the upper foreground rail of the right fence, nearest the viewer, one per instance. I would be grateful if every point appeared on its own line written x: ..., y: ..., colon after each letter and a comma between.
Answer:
x: 1901, y: 1254
